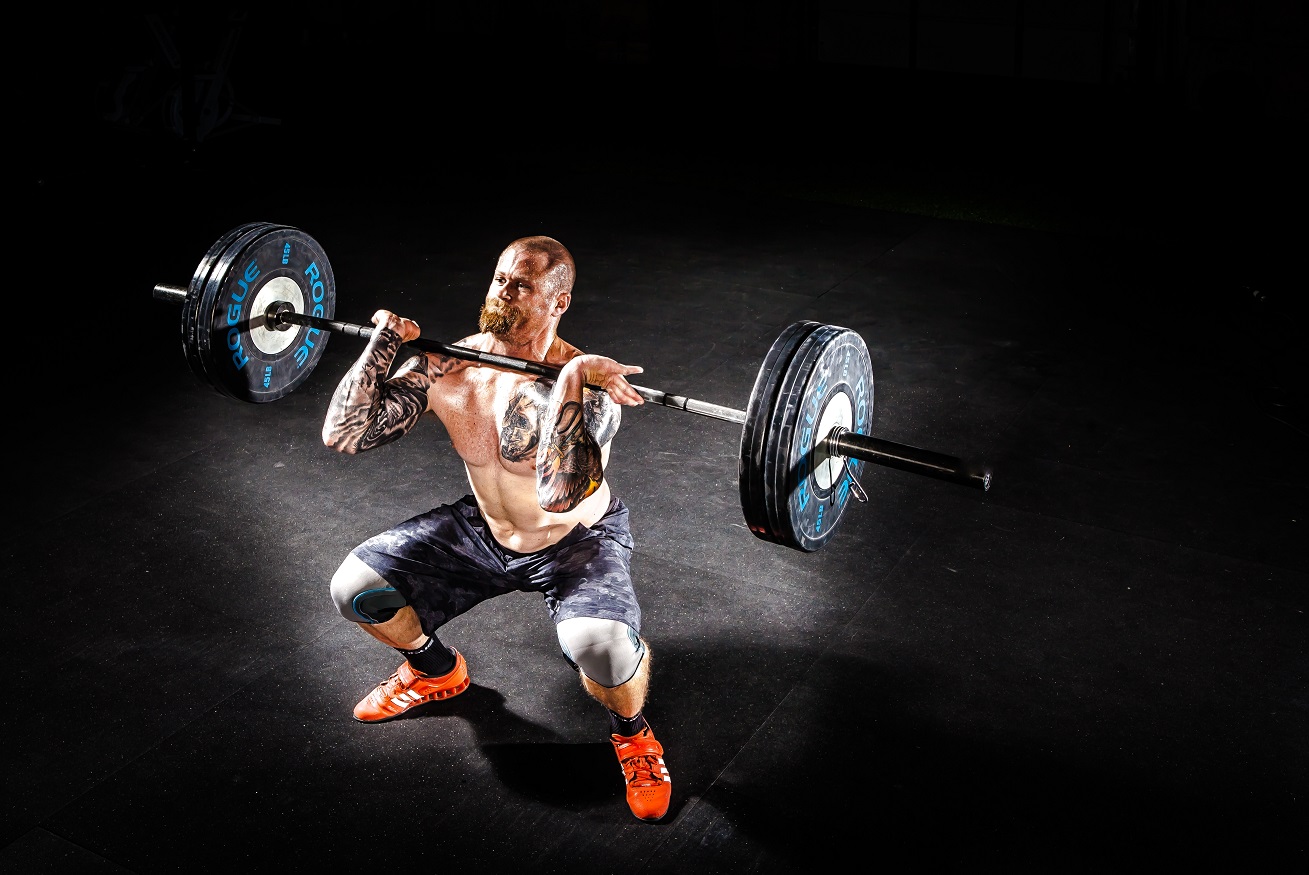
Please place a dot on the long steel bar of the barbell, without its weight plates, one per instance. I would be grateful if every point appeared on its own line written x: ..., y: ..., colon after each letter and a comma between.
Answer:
x: 841, y: 442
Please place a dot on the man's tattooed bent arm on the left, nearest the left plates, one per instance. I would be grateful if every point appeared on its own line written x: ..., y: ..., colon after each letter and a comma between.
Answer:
x: 368, y: 409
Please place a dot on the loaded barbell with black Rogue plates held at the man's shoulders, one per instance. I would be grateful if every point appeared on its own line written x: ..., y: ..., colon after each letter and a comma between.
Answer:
x: 803, y: 433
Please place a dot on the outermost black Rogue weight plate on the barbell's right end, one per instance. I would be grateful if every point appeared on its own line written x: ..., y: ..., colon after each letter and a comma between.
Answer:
x: 829, y: 384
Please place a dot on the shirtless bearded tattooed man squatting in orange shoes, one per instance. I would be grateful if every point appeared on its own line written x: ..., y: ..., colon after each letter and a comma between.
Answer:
x: 541, y: 517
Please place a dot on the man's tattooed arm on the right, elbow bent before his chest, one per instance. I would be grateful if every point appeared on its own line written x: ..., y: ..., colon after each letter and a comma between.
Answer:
x: 577, y: 428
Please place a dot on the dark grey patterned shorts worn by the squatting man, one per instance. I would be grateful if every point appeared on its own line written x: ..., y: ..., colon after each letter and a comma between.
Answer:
x: 446, y: 561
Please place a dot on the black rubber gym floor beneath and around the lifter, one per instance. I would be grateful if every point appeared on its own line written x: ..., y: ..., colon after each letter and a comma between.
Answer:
x: 1098, y: 666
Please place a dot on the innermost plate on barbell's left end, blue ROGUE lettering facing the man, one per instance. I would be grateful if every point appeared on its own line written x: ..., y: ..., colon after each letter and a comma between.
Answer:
x: 262, y: 265
